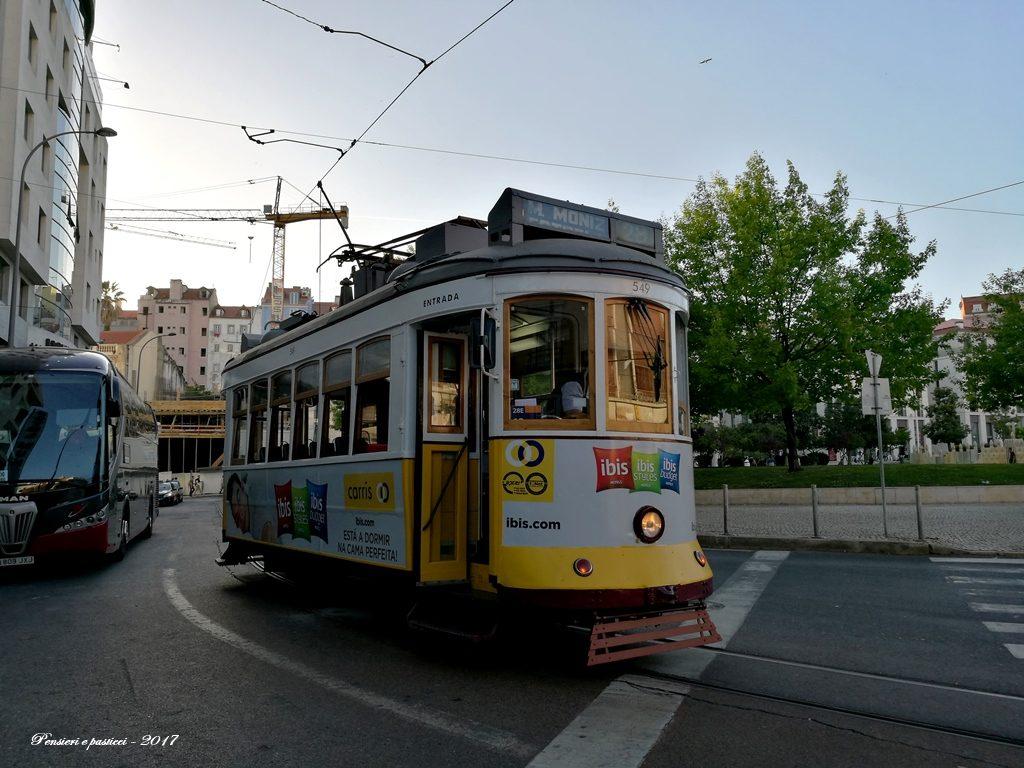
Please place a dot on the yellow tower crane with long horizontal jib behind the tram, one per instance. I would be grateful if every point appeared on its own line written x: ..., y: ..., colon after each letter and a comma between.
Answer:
x: 271, y: 215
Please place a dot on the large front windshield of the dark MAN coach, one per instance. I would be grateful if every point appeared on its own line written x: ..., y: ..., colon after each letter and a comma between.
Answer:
x: 51, y: 429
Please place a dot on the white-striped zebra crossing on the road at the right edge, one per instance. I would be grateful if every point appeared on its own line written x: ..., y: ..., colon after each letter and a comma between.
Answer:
x: 994, y: 588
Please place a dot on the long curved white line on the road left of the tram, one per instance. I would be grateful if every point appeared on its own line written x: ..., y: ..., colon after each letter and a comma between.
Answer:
x: 482, y: 735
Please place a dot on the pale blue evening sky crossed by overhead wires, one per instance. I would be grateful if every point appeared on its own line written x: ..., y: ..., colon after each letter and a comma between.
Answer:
x: 916, y: 102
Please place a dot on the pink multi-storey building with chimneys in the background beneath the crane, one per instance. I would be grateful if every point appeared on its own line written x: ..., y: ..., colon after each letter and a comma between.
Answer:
x: 186, y: 313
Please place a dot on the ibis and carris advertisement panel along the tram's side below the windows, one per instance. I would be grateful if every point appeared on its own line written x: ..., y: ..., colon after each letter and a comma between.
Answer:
x: 354, y: 511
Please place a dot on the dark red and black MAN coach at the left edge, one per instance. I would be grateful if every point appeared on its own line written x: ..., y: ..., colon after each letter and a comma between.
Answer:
x: 78, y: 457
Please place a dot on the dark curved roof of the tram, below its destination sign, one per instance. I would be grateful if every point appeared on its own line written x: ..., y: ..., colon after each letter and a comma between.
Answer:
x: 547, y: 255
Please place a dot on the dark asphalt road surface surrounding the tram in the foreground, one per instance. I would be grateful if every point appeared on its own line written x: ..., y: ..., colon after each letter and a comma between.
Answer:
x: 245, y: 669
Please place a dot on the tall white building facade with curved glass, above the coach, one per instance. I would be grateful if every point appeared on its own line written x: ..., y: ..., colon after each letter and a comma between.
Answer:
x: 50, y: 87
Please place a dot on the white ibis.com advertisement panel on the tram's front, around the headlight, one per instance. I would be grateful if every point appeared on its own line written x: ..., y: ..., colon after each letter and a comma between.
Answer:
x: 572, y: 493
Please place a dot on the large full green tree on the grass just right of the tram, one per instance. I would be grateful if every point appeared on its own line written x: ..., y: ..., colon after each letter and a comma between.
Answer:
x: 788, y: 294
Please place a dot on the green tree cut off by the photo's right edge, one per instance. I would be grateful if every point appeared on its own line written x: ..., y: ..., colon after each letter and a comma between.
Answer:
x: 993, y: 360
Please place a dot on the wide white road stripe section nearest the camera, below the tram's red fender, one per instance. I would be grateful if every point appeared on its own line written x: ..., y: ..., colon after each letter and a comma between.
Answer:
x: 619, y: 729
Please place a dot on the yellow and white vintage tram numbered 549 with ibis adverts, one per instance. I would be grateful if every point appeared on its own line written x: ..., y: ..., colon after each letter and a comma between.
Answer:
x: 503, y: 416
